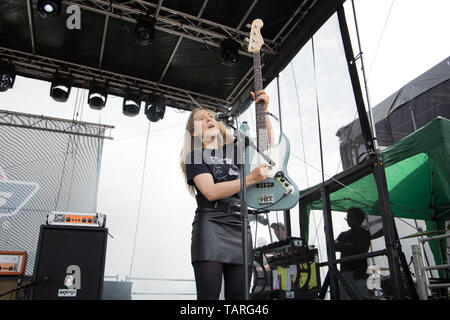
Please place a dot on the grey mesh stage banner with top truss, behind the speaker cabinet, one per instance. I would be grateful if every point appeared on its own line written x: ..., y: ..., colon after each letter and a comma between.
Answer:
x: 46, y: 165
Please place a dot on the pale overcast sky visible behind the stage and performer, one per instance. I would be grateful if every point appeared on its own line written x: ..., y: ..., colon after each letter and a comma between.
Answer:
x: 395, y: 51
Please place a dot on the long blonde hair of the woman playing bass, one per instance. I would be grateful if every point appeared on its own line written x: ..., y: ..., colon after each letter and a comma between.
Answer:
x: 225, y: 136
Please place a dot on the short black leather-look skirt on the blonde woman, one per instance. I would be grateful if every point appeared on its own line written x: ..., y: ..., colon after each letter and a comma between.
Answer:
x: 217, y: 236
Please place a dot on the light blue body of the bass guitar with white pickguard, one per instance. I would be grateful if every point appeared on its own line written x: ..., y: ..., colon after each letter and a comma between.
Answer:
x: 278, y: 192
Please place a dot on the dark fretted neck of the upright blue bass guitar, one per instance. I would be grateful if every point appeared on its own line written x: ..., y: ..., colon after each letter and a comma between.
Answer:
x: 261, y: 130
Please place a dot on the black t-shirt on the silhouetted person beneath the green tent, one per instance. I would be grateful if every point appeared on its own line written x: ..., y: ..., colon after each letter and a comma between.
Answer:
x: 353, y: 242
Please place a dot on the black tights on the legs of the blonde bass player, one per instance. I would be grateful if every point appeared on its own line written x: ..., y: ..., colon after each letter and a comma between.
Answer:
x: 208, y: 280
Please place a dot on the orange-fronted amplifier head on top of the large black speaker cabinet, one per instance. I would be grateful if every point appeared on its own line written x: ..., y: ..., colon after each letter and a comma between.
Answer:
x: 77, y: 219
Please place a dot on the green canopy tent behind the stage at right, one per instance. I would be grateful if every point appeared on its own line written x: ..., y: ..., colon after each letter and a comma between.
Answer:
x: 418, y: 179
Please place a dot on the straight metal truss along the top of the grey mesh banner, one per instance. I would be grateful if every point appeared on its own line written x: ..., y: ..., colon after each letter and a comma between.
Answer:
x: 35, y: 122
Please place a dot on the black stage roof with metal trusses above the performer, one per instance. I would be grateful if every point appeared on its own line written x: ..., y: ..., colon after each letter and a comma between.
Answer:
x: 182, y: 63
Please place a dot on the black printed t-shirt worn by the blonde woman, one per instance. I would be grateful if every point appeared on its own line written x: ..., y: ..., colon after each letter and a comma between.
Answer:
x: 220, y: 163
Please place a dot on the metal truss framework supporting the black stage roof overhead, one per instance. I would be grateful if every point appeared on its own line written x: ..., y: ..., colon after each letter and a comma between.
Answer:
x: 171, y: 21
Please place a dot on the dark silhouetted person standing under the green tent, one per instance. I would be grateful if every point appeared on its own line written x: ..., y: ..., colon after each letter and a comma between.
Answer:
x: 349, y: 243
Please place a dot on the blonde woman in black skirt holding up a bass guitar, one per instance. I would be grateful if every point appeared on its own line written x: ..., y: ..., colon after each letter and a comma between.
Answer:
x: 209, y: 163
